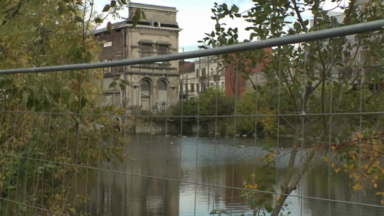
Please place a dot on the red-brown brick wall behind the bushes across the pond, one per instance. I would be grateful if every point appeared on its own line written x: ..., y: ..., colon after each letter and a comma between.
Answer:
x: 234, y: 82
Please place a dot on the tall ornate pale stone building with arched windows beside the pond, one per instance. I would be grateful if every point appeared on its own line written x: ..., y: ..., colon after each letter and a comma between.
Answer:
x: 152, y: 87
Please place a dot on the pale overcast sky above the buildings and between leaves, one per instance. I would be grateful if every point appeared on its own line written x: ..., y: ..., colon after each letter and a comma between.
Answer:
x: 194, y: 17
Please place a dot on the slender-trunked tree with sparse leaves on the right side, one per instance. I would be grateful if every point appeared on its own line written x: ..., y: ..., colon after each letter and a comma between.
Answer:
x: 322, y: 77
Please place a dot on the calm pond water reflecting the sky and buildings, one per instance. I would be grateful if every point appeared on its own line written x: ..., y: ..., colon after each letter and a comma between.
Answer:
x: 175, y: 163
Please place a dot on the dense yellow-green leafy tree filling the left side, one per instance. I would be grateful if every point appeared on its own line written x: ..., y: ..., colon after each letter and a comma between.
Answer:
x: 53, y: 129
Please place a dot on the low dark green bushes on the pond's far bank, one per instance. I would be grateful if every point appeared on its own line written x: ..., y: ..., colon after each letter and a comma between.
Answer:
x: 212, y: 111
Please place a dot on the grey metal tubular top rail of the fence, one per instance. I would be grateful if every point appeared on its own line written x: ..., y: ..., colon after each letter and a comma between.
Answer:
x: 312, y: 36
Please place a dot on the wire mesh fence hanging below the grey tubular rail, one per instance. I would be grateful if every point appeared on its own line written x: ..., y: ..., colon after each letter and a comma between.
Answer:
x: 306, y: 140
